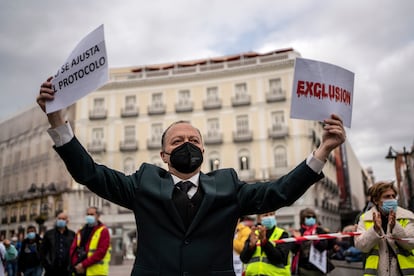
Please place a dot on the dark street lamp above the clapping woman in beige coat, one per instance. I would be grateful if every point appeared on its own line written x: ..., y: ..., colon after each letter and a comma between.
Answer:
x: 399, y: 159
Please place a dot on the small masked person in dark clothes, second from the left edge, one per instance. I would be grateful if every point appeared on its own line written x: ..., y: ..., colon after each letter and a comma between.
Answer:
x: 28, y: 261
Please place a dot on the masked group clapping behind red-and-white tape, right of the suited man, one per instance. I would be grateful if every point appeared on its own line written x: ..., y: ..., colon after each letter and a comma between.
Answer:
x: 380, y: 241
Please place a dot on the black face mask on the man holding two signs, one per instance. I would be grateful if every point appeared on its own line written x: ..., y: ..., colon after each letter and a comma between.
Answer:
x: 186, y: 158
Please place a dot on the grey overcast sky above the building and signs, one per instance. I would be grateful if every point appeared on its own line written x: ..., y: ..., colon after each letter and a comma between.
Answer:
x: 372, y: 38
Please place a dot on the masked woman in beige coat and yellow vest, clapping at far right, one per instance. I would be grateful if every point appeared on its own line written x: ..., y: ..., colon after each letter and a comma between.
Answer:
x: 381, y: 228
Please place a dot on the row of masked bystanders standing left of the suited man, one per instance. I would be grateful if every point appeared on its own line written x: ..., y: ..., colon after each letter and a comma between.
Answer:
x: 60, y: 251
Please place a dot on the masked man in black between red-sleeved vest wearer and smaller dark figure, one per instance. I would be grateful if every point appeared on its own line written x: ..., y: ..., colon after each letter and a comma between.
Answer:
x: 54, y: 250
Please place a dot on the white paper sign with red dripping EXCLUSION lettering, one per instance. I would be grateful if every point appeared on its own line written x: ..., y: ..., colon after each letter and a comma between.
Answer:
x: 321, y: 89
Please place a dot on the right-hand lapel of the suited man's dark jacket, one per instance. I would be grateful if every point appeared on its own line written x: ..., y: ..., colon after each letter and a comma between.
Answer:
x: 209, y: 186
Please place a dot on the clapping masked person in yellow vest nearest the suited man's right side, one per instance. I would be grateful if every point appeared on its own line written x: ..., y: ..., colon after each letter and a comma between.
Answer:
x: 261, y: 255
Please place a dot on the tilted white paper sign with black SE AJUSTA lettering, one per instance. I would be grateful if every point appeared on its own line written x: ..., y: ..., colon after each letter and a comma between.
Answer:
x: 85, y: 70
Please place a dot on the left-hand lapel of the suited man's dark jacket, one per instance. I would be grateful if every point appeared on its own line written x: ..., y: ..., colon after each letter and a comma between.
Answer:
x: 166, y: 190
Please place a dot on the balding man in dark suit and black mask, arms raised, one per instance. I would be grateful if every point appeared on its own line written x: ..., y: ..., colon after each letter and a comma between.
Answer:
x: 185, y: 229
